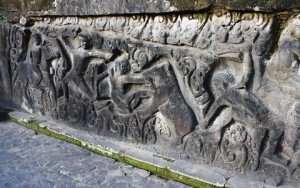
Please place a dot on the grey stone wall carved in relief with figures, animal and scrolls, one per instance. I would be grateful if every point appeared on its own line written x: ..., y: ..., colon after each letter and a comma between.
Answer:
x: 222, y: 88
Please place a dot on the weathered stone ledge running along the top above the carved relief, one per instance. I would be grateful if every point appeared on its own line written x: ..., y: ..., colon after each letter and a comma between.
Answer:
x: 15, y: 8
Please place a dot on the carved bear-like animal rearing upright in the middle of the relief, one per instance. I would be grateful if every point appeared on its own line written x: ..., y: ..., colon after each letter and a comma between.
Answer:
x: 170, y: 103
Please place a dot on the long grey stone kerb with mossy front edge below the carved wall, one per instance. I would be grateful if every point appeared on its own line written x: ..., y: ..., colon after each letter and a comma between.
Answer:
x: 182, y: 171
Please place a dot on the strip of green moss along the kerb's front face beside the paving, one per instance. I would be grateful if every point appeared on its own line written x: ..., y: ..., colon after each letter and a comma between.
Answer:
x: 160, y: 171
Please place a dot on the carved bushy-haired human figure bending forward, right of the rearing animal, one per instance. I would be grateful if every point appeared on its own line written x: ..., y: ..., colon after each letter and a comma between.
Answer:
x: 245, y: 107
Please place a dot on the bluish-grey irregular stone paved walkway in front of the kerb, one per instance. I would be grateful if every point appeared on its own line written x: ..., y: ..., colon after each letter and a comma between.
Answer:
x: 35, y: 160
